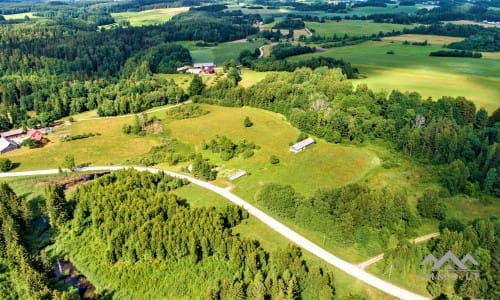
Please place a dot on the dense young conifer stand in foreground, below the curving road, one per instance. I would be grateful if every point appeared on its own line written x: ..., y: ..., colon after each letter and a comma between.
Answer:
x: 131, y: 220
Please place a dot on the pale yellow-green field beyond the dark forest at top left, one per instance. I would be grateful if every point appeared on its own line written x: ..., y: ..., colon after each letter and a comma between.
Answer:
x: 149, y: 17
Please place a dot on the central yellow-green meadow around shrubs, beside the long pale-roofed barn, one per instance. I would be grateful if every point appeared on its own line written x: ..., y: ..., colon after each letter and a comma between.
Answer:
x: 321, y: 165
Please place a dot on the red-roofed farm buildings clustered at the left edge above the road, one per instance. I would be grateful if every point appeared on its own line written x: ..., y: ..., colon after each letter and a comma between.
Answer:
x: 12, y: 139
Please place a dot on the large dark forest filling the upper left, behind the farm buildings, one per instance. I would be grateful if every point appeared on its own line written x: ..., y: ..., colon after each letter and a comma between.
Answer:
x: 64, y: 65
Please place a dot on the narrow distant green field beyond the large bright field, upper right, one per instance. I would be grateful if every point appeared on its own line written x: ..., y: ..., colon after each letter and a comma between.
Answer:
x: 352, y: 28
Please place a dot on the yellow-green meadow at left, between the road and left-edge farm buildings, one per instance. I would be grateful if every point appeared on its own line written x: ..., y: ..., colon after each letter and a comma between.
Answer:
x: 112, y: 146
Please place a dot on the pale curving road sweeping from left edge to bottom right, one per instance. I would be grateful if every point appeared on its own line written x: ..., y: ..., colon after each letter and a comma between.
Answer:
x: 291, y: 235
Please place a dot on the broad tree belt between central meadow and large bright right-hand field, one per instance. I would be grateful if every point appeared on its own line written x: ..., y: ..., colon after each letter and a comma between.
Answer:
x: 449, y: 132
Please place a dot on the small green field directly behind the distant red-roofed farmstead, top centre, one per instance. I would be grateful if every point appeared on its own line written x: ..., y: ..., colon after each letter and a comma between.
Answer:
x: 223, y: 51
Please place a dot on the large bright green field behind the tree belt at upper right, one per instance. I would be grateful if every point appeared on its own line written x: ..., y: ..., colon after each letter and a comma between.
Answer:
x: 412, y: 69
